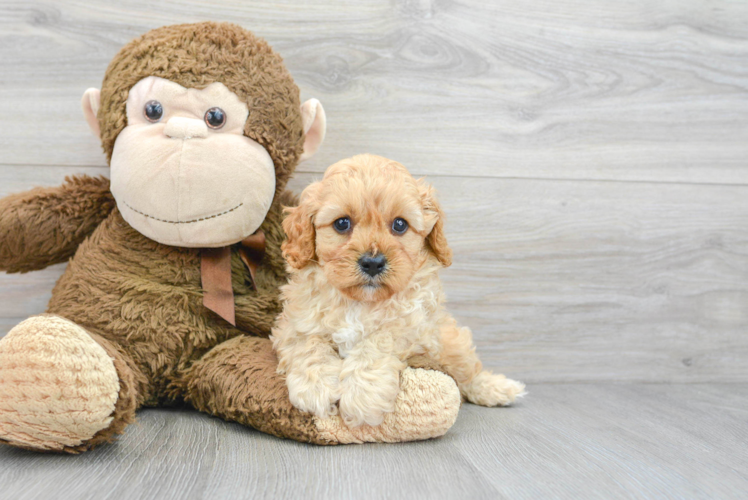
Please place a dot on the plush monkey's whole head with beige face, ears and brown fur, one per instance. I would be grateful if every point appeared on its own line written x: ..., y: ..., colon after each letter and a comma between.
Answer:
x: 202, y: 127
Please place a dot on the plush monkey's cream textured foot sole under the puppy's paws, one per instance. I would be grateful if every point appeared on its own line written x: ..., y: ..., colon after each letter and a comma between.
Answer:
x: 426, y: 408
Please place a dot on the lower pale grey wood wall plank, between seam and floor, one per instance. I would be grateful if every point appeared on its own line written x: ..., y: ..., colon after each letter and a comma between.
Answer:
x: 567, y: 280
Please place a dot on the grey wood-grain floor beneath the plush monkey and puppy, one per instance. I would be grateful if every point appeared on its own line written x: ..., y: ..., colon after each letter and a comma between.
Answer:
x: 562, y: 441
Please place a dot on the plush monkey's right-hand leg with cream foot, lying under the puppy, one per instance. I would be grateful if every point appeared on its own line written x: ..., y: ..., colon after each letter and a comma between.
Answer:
x: 237, y: 381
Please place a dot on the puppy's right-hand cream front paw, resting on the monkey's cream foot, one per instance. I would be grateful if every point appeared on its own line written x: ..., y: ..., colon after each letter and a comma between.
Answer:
x: 368, y: 395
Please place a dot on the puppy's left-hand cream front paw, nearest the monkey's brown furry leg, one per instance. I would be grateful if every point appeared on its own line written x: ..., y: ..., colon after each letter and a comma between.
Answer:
x: 314, y: 394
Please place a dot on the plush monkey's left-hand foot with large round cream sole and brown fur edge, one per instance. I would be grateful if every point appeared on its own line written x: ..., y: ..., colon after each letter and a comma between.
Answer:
x: 63, y: 388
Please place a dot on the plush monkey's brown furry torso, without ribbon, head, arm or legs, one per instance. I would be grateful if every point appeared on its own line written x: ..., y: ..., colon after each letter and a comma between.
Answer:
x: 119, y: 277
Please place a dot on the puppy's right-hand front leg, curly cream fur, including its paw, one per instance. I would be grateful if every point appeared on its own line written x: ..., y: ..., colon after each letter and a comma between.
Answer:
x: 370, y: 383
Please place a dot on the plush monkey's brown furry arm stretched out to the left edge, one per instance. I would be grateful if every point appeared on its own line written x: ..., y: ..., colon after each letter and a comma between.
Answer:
x: 44, y: 226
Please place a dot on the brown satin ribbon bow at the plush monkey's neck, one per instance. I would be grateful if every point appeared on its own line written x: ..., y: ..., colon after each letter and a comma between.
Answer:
x: 215, y: 273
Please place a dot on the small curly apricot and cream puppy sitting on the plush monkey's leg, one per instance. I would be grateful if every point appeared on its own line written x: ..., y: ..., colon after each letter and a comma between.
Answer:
x: 364, y: 249
